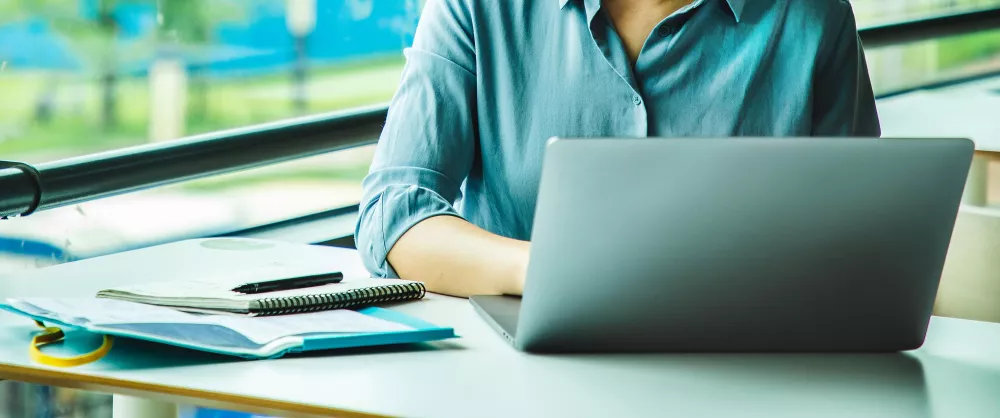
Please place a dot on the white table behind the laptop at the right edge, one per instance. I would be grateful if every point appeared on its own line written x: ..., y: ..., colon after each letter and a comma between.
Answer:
x: 968, y: 112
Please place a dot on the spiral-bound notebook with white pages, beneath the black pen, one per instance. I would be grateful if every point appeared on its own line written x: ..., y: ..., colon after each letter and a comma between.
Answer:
x: 214, y: 296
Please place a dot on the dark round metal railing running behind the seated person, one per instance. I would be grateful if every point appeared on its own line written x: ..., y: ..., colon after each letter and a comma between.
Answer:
x: 100, y: 175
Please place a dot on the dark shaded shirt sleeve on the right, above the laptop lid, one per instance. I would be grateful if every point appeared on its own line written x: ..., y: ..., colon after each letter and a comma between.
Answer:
x: 844, y: 103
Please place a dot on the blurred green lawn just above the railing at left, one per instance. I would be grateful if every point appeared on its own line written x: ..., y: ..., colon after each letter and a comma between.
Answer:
x: 231, y: 103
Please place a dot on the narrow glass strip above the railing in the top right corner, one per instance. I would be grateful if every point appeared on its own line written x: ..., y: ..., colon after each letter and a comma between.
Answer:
x: 877, y: 12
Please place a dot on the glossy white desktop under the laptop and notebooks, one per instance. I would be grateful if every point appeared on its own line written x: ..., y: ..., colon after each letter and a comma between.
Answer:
x: 956, y: 374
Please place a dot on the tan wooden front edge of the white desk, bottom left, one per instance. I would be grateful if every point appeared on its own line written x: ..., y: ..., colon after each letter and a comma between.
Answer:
x: 173, y: 394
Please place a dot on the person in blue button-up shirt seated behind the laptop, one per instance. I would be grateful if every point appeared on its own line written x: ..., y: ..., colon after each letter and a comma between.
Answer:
x: 488, y: 82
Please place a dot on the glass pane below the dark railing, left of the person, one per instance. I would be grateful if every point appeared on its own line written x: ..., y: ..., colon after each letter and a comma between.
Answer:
x: 191, y: 209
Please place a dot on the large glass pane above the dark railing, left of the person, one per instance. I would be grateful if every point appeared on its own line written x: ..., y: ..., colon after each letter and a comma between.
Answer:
x: 93, y: 75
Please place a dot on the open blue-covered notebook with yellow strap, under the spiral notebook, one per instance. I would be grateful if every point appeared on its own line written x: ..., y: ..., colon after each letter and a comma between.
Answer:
x: 236, y: 335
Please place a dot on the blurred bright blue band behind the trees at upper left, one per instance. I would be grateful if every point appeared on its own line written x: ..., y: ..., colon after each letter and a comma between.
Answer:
x: 255, y: 42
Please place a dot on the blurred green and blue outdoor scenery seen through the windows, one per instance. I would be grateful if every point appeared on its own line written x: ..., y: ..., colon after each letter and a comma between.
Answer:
x: 85, y: 76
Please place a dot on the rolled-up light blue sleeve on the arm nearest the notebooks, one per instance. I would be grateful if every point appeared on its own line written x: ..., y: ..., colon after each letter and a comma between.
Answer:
x: 426, y: 147
